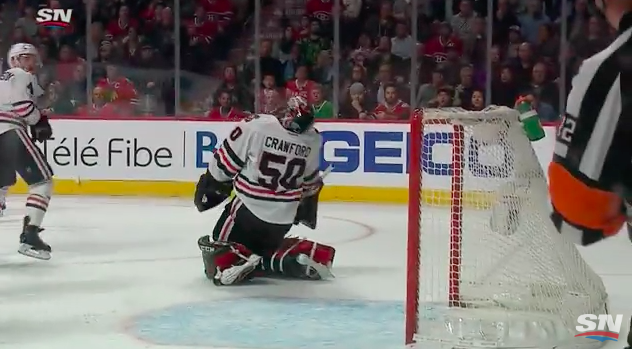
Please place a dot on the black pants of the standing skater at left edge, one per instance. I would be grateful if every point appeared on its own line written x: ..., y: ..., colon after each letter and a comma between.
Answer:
x: 18, y: 153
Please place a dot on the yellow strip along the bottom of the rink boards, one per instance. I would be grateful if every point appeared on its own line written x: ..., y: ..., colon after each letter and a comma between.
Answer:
x: 438, y: 197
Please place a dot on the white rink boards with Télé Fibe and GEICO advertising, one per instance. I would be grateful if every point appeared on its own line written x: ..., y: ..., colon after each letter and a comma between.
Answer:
x: 164, y: 158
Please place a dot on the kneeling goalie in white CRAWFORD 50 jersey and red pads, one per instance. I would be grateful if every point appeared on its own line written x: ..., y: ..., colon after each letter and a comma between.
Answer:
x: 273, y: 165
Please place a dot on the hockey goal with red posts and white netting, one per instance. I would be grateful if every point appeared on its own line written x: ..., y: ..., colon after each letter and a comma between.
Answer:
x: 485, y: 266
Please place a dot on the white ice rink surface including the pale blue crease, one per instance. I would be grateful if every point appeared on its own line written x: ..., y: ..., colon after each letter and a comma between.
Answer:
x: 126, y: 274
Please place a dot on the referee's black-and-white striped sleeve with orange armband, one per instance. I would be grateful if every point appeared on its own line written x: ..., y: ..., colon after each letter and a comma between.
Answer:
x: 590, y: 177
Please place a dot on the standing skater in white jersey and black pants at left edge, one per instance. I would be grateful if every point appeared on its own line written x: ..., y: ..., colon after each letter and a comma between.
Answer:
x: 18, y: 153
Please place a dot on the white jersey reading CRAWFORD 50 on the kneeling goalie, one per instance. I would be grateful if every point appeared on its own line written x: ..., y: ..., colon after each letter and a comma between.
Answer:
x: 270, y: 166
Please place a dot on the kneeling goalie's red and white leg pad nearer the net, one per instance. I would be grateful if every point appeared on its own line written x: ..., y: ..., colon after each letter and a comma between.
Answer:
x: 301, y: 258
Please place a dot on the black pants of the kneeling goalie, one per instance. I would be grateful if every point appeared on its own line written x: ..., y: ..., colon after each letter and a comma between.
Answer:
x: 238, y: 224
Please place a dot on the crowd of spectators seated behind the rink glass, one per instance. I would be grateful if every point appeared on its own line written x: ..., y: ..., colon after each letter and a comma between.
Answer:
x: 119, y: 58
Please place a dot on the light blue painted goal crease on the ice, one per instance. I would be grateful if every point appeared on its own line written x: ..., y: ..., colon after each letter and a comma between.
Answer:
x: 276, y: 323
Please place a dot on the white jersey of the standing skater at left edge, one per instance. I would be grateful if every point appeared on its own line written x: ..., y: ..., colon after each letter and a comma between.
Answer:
x: 19, y: 91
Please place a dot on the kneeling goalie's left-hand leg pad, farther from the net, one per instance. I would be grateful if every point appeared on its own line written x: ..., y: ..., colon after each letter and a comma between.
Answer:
x: 227, y: 263
